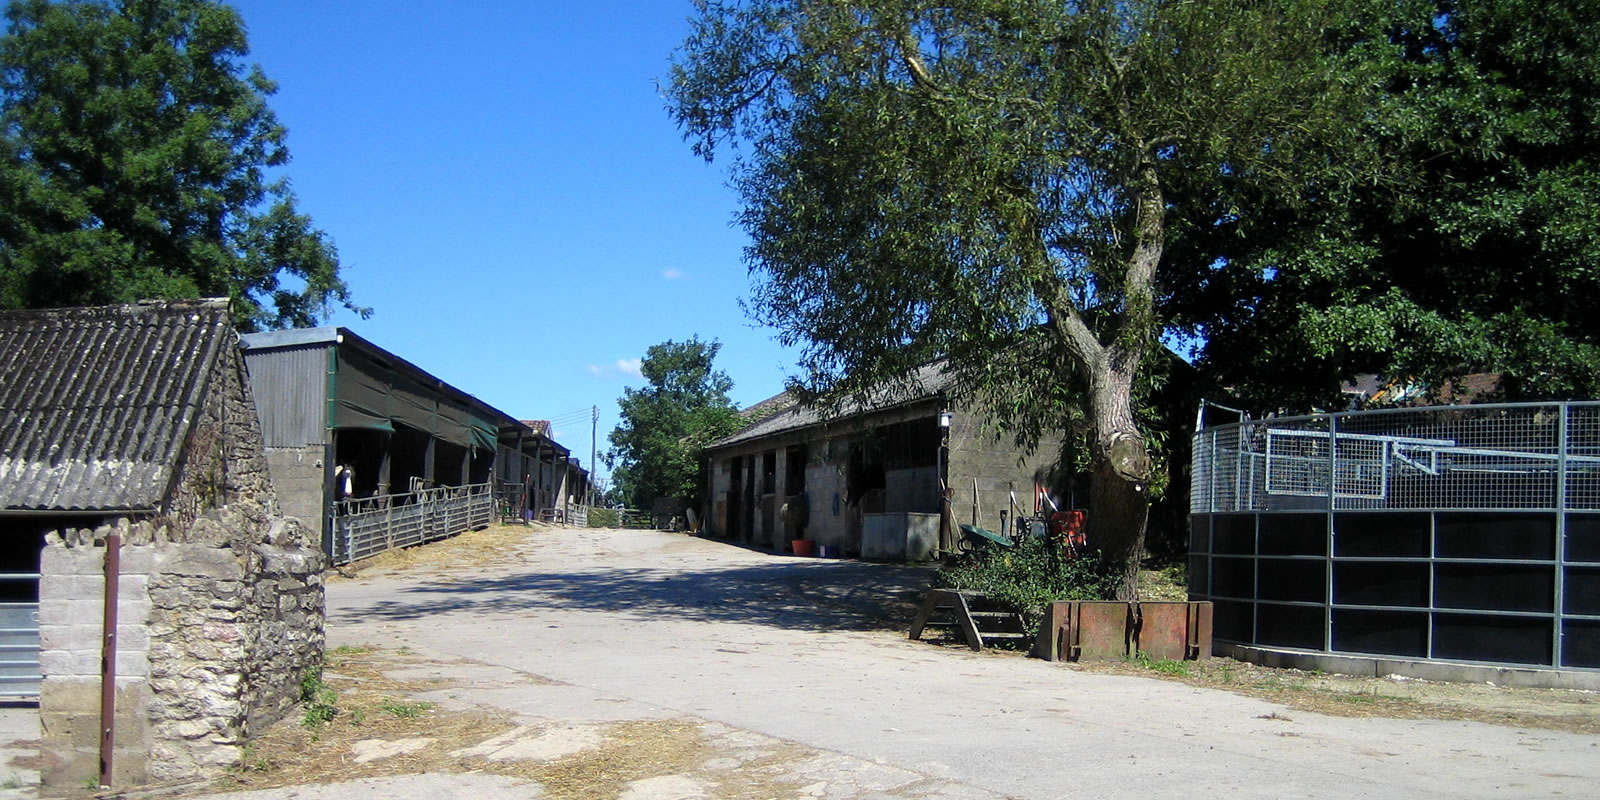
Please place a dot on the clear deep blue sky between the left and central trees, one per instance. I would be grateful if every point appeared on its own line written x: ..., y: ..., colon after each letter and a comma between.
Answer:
x: 510, y: 194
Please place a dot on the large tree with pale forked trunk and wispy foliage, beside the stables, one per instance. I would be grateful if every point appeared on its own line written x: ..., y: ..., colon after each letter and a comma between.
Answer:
x: 994, y: 183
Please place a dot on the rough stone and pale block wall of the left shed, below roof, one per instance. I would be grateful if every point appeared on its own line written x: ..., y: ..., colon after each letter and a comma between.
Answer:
x: 220, y: 614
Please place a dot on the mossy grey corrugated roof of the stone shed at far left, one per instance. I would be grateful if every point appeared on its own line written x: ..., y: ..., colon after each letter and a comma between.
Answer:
x: 97, y: 404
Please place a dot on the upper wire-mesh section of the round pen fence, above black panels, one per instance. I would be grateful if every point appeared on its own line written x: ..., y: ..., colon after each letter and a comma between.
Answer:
x: 1540, y: 457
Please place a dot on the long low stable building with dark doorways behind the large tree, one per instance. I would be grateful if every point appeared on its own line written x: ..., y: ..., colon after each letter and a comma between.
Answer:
x: 866, y: 481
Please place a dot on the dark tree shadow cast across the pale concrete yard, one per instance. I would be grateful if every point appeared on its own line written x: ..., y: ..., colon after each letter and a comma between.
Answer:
x: 793, y: 594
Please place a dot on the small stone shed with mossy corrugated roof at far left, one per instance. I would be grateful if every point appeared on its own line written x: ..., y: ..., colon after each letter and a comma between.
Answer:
x: 132, y: 457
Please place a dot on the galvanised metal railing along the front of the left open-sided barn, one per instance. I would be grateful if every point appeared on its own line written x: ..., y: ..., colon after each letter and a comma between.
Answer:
x: 366, y: 527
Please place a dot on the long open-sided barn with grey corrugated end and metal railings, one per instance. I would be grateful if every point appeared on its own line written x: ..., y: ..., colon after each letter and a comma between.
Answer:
x: 378, y: 454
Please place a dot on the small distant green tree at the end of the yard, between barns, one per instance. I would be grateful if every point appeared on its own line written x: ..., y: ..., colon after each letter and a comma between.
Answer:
x: 684, y: 407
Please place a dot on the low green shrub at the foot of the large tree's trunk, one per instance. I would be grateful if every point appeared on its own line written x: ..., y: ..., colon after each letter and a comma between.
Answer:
x: 1031, y: 575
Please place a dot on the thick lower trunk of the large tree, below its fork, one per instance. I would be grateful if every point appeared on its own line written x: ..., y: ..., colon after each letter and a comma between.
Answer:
x: 1119, y: 494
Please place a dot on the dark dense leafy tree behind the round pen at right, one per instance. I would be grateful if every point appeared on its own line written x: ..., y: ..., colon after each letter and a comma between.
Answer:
x: 1476, y: 254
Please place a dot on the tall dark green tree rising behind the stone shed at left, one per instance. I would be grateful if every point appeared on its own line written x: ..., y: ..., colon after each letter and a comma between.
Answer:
x: 135, y: 150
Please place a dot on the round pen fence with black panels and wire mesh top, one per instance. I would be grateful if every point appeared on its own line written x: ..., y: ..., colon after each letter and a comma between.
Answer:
x: 1458, y: 534
